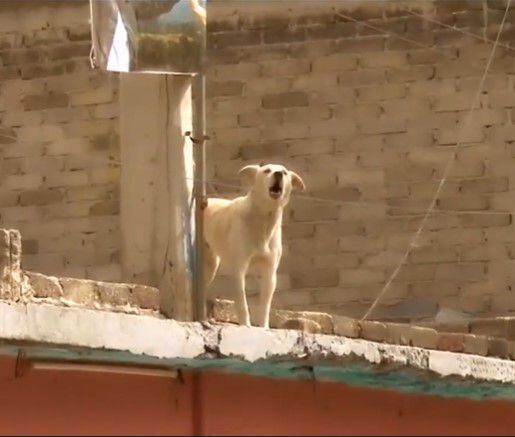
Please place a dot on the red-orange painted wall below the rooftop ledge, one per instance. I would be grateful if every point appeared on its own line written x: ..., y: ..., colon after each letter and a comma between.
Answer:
x: 48, y: 402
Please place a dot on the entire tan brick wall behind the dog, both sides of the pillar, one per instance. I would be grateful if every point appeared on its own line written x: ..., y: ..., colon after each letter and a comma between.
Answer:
x: 368, y: 120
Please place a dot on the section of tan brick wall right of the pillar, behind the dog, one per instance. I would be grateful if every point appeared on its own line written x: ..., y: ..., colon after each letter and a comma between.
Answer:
x: 370, y: 121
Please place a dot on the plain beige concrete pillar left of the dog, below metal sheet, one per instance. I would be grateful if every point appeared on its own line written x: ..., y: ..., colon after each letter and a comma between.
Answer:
x: 157, y: 217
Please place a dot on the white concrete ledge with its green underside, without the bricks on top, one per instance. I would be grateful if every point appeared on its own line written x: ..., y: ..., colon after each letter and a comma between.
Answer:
x: 49, y: 332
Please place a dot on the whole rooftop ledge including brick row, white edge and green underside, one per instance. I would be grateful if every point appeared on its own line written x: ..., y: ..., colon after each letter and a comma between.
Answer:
x: 59, y: 319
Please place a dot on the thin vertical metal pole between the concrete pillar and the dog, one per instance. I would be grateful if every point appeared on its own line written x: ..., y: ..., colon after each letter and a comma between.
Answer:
x: 199, y: 192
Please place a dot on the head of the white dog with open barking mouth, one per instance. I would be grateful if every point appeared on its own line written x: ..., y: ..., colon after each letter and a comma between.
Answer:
x: 272, y: 183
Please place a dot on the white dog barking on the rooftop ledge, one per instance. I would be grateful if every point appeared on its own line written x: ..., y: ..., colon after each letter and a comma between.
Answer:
x: 245, y: 233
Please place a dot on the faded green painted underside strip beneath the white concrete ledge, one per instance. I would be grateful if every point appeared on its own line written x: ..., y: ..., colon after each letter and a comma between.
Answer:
x: 362, y: 375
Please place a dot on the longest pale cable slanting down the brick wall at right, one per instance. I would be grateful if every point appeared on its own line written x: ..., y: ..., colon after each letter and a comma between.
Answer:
x: 448, y: 167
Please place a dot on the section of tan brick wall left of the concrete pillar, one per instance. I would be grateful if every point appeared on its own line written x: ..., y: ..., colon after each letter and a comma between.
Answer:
x: 58, y: 128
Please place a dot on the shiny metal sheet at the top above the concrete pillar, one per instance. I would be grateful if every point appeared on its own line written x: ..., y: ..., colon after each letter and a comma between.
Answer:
x: 149, y: 36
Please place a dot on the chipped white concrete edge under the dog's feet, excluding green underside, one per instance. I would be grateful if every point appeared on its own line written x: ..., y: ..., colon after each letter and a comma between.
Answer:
x: 173, y: 342
